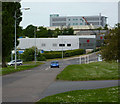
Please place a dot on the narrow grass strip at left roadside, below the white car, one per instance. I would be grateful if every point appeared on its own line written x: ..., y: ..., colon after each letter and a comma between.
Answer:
x: 11, y: 69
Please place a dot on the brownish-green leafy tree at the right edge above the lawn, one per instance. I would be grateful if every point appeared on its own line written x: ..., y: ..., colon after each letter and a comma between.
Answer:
x: 111, y: 49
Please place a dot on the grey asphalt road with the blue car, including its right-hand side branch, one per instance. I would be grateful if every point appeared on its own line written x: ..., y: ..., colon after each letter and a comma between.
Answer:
x: 34, y: 84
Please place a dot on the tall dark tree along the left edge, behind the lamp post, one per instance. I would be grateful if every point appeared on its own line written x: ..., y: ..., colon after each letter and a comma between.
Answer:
x: 8, y: 21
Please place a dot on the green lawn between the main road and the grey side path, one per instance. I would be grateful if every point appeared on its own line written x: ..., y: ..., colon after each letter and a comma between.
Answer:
x: 92, y: 71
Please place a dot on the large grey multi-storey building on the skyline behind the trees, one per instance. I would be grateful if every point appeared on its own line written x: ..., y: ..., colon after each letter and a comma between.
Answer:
x: 56, y: 20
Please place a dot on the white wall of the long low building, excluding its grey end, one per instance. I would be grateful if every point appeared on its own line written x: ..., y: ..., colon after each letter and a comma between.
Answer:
x: 73, y: 40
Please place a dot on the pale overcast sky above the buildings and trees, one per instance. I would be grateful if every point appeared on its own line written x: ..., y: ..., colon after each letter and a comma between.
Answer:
x: 39, y: 12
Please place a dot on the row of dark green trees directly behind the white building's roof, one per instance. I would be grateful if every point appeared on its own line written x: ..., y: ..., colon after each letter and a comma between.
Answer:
x: 42, y: 32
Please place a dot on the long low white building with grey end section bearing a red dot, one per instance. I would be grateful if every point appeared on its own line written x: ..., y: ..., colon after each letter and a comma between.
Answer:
x: 56, y: 44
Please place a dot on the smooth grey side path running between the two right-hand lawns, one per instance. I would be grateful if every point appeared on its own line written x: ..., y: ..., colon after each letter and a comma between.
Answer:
x: 64, y: 86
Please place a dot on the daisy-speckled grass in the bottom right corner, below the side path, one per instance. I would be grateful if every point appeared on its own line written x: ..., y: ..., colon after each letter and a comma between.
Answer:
x: 95, y: 95
